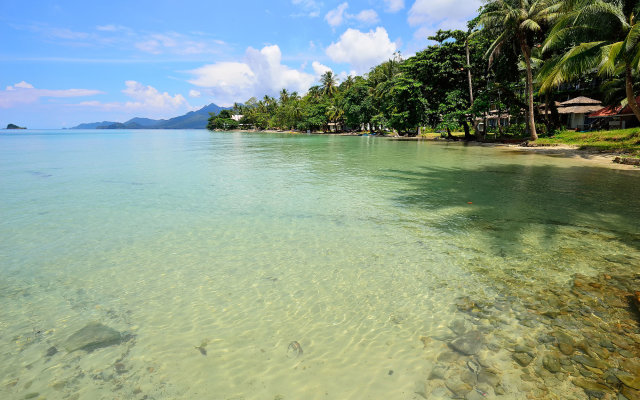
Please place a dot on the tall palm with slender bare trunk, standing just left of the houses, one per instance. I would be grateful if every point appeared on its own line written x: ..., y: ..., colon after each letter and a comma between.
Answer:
x: 518, y: 22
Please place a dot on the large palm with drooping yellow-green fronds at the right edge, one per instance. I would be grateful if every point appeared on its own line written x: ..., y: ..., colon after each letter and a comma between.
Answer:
x: 614, y: 52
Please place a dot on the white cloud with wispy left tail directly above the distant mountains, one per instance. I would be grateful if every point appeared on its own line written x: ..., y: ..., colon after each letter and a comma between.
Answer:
x: 145, y: 99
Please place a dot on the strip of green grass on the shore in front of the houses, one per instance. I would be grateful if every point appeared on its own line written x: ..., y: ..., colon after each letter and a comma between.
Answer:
x: 616, y: 141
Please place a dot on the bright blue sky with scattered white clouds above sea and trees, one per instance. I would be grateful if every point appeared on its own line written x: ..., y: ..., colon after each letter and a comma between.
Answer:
x: 67, y: 62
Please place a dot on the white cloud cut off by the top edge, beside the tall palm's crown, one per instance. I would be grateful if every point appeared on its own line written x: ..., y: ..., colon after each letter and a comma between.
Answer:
x: 435, y: 11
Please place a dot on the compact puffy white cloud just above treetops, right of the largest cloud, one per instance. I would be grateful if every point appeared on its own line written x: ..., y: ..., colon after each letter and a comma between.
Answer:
x: 362, y: 50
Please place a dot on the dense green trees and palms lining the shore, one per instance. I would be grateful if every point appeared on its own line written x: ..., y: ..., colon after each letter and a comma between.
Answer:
x: 517, y: 57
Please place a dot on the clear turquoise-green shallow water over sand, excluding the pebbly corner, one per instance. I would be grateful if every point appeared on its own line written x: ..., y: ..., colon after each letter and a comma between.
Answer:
x: 354, y: 247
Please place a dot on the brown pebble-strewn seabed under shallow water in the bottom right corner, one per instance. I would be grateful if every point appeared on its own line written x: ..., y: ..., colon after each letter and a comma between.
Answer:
x: 581, y: 342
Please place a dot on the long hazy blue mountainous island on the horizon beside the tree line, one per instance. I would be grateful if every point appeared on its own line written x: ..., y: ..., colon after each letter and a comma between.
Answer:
x: 191, y: 120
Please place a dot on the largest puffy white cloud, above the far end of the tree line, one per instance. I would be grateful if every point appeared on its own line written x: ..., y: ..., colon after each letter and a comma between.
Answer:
x: 261, y: 72
